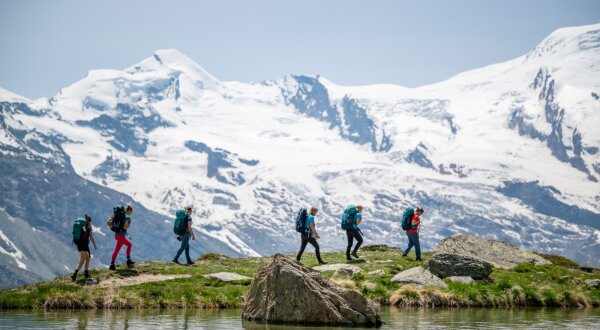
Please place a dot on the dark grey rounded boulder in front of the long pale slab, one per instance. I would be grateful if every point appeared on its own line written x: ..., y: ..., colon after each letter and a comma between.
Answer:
x: 446, y: 265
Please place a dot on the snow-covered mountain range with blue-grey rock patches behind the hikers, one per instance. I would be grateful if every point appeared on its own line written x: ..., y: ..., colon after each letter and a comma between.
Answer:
x: 509, y: 151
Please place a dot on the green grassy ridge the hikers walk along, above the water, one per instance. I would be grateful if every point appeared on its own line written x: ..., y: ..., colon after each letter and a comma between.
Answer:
x: 560, y: 284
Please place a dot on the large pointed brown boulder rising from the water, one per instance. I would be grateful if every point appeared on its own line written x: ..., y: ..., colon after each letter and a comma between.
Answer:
x: 284, y: 291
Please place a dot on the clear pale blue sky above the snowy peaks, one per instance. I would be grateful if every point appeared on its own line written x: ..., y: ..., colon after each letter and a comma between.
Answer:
x: 47, y: 45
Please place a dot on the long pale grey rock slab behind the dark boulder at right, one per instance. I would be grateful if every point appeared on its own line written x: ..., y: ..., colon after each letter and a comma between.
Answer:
x: 499, y: 254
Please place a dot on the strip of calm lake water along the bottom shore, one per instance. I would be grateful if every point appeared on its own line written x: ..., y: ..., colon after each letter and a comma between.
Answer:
x: 529, y: 318
